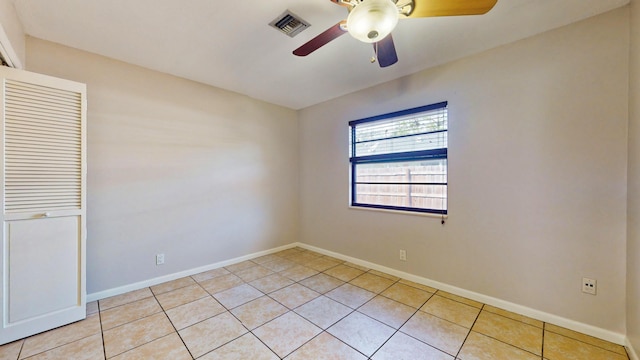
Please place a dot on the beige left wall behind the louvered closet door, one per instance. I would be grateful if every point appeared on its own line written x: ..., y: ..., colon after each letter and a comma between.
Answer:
x: 176, y: 167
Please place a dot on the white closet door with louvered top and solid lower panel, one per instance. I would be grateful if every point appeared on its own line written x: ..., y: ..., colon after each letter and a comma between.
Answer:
x: 43, y: 266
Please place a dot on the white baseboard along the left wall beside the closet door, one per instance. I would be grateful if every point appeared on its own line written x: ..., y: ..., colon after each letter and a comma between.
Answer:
x: 158, y: 280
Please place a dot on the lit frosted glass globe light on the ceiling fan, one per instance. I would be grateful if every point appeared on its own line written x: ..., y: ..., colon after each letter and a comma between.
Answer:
x: 372, y: 20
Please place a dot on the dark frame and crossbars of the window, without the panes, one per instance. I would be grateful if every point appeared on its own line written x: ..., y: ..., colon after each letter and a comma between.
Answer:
x: 397, y: 157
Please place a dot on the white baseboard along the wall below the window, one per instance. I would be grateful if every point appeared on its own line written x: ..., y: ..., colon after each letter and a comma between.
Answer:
x: 591, y: 330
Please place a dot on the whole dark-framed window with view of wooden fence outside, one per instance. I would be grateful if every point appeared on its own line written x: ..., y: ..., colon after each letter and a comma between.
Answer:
x: 399, y: 160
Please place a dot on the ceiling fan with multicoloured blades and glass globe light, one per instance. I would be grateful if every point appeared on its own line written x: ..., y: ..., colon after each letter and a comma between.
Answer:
x: 371, y: 21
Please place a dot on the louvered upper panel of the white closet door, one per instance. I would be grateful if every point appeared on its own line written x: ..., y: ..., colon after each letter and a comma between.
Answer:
x: 42, y: 148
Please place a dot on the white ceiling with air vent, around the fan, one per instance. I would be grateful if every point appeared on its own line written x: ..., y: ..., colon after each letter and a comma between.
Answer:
x: 228, y: 44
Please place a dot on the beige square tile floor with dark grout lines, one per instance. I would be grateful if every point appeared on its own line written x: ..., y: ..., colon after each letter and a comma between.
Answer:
x: 298, y: 304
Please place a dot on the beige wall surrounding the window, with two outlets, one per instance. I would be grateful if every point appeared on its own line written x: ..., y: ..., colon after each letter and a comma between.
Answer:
x: 537, y: 174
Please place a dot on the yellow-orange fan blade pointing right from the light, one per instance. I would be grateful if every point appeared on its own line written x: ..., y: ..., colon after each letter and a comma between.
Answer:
x: 427, y: 8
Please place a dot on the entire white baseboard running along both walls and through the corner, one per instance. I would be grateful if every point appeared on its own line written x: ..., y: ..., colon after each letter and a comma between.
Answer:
x: 519, y: 309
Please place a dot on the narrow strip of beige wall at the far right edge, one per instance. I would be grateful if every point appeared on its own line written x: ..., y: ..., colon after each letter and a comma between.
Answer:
x: 633, y: 214
